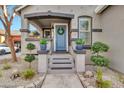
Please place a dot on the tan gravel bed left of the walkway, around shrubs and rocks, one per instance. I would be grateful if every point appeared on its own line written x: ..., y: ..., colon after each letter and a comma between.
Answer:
x: 5, y: 80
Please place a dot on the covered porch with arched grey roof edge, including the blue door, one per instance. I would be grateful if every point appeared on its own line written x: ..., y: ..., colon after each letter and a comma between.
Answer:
x: 55, y: 27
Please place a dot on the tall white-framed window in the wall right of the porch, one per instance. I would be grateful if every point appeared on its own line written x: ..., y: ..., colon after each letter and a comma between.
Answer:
x: 84, y: 26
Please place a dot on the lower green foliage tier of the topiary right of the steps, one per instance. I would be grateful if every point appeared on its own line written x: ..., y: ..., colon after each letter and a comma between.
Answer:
x: 100, y: 60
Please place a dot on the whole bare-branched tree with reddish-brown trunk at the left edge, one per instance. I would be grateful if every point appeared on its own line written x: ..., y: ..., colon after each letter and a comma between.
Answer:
x: 6, y: 17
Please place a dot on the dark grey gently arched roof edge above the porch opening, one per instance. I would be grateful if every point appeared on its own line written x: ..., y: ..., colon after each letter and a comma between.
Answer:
x: 49, y: 14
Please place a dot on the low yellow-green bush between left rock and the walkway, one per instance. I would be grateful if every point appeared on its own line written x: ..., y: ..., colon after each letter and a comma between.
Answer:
x: 28, y: 74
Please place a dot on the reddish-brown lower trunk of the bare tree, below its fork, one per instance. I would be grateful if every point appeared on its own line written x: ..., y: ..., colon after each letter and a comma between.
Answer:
x: 11, y: 45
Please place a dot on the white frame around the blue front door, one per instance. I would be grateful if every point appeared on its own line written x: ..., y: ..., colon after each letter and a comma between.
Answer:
x: 66, y: 24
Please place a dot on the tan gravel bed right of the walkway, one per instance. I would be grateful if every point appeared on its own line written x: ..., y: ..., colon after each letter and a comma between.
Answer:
x: 107, y: 75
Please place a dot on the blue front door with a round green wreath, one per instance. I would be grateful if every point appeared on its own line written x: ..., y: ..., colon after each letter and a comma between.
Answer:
x: 60, y: 37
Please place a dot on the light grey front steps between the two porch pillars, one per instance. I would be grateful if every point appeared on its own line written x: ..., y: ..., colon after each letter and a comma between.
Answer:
x: 61, y: 63
